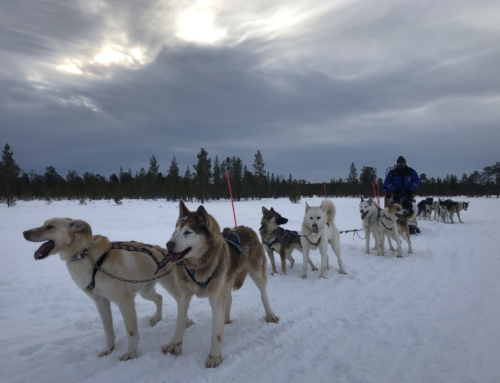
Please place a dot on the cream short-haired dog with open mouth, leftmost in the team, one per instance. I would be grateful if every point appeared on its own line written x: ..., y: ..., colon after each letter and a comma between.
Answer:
x: 75, y: 244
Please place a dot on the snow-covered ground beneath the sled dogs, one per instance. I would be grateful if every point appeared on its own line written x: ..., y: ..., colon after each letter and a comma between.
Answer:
x: 432, y: 316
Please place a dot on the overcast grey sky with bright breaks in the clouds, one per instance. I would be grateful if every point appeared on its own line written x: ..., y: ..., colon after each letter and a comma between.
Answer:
x: 92, y: 85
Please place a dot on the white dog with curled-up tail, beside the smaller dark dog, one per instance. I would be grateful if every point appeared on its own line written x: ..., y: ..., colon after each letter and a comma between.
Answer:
x: 319, y: 230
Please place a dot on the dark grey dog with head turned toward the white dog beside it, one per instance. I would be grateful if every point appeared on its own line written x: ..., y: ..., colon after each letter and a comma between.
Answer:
x: 273, y: 237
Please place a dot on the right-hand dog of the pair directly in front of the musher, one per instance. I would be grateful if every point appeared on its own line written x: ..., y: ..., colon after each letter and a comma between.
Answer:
x: 393, y: 223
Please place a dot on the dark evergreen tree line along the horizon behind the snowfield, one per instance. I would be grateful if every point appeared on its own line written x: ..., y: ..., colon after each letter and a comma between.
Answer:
x: 208, y: 181
